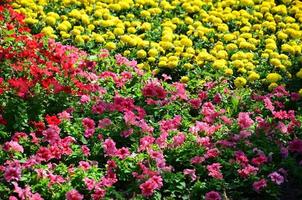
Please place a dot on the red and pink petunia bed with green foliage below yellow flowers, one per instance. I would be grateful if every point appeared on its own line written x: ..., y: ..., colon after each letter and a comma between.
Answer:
x: 92, y: 126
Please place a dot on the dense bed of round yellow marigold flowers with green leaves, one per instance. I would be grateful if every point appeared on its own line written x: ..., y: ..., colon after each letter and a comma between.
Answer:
x: 250, y: 40
